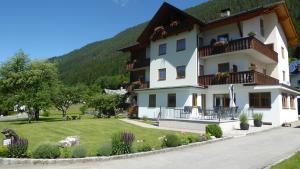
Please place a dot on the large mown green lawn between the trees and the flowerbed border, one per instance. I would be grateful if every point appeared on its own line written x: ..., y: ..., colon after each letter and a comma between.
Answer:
x: 92, y: 132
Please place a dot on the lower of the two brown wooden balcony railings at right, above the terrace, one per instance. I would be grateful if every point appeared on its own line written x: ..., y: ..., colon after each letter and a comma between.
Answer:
x: 246, y: 77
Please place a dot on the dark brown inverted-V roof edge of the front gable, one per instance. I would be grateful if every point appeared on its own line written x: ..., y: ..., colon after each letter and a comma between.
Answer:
x: 164, y: 11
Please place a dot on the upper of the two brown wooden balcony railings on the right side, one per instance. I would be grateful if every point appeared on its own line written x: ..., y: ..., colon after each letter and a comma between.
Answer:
x: 238, y: 45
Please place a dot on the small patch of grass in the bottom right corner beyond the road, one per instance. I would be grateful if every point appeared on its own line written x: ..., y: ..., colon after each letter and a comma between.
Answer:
x: 291, y: 163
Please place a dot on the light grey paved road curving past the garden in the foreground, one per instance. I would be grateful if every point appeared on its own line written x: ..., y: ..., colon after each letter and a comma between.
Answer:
x: 249, y: 152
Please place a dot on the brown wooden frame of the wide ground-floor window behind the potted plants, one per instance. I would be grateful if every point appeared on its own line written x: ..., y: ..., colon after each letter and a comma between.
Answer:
x: 259, y: 96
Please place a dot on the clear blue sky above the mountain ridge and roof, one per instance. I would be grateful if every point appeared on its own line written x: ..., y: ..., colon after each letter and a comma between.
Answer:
x: 47, y: 28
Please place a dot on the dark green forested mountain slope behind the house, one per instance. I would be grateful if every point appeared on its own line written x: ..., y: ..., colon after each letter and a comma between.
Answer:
x: 101, y: 58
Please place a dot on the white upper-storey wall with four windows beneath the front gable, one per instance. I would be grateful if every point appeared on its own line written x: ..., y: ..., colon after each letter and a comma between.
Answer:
x: 172, y: 59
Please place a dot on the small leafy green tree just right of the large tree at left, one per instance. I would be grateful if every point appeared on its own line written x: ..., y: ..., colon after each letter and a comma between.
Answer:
x: 64, y: 96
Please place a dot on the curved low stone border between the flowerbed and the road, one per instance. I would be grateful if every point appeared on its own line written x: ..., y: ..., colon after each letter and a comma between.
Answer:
x: 16, y: 161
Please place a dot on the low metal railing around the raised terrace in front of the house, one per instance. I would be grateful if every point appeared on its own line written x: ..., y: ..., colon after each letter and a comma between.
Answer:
x: 196, y: 113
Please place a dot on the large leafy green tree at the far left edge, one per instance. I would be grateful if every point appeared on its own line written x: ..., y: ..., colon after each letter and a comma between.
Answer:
x: 27, y: 83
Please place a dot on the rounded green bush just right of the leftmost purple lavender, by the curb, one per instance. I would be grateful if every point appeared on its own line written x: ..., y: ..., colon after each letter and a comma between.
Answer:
x: 47, y: 151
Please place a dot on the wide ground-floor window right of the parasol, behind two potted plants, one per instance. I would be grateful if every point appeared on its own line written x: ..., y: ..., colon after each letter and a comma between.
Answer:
x: 260, y: 100
